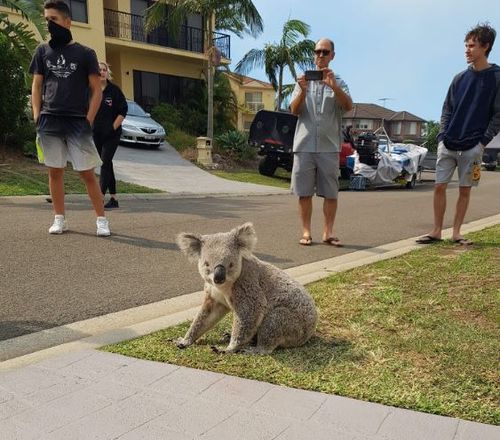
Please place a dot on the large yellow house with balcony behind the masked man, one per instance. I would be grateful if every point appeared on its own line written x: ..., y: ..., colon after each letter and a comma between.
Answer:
x: 150, y: 68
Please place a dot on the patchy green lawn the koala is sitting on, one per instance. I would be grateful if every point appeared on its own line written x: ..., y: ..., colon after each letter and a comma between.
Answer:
x: 419, y: 332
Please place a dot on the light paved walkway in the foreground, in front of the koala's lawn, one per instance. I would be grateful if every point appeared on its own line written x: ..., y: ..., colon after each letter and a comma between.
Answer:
x: 96, y: 395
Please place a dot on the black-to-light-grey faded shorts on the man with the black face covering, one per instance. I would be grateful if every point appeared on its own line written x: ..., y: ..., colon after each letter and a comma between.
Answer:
x: 67, y: 139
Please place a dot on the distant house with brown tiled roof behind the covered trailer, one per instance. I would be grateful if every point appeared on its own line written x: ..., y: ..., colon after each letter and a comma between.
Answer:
x: 399, y: 126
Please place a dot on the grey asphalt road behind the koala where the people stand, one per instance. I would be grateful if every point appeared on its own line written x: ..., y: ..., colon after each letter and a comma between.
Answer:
x: 47, y: 281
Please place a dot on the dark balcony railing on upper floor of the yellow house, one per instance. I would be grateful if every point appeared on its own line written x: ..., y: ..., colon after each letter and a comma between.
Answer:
x: 131, y: 27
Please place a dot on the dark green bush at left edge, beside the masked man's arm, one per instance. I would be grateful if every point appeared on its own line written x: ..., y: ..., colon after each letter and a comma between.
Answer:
x: 13, y: 99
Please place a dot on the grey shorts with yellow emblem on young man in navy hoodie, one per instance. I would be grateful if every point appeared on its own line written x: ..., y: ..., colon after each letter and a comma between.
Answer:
x: 468, y: 163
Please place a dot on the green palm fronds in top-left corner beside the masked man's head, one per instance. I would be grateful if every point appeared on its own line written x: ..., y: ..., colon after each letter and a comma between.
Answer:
x: 21, y: 38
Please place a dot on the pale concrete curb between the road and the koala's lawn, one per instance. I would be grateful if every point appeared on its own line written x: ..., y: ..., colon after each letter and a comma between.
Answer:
x: 132, y: 323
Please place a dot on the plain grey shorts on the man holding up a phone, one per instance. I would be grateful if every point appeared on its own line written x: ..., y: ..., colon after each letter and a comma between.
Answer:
x: 316, y: 173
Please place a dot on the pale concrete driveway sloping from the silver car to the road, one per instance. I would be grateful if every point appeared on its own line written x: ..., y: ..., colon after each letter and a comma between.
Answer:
x: 165, y: 169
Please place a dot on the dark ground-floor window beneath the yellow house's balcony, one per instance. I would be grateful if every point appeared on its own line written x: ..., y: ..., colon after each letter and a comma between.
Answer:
x: 152, y: 88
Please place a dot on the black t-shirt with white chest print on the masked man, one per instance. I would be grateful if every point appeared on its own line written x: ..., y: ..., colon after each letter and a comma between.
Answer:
x: 65, y: 73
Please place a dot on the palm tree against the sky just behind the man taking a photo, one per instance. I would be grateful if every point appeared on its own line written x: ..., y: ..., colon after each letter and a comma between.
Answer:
x: 288, y: 53
